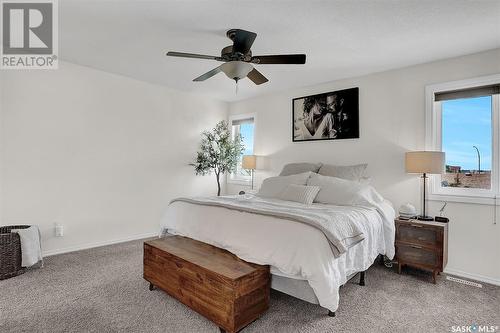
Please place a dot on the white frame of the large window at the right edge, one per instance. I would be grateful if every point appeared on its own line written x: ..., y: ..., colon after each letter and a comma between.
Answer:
x: 433, y: 141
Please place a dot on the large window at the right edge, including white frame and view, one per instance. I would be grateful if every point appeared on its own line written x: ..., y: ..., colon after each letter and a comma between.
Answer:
x: 463, y: 121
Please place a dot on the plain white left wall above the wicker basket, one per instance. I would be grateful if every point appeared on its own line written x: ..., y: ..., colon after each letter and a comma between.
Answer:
x: 99, y: 153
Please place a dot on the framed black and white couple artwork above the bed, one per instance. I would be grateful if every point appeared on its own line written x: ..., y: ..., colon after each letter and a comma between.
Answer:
x: 328, y: 116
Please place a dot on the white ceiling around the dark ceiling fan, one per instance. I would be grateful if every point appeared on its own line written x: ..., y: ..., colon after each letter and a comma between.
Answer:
x: 341, y: 38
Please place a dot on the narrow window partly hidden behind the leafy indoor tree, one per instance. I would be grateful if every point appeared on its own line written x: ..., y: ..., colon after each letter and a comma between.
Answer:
x: 244, y: 125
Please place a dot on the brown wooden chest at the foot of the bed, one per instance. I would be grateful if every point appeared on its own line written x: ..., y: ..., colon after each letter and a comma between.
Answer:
x: 215, y: 283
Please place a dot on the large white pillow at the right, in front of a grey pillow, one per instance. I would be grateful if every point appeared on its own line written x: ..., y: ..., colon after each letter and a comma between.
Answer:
x: 337, y: 191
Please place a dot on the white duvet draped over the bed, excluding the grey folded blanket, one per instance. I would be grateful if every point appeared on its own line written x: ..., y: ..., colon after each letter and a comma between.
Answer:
x: 291, y: 248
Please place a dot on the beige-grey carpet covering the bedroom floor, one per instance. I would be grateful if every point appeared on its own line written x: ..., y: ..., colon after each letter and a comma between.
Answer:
x: 102, y: 290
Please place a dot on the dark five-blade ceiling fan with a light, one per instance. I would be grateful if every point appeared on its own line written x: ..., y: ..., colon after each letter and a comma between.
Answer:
x: 238, y: 59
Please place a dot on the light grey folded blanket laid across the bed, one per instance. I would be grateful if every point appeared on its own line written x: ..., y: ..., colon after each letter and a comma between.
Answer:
x: 339, y: 226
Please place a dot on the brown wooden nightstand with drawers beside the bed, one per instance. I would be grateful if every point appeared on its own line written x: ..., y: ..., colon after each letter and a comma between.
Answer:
x: 422, y: 244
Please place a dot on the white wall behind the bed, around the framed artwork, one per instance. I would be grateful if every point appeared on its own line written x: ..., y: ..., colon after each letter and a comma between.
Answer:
x: 392, y: 121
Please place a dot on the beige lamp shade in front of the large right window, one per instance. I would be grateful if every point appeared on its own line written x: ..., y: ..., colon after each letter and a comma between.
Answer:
x: 431, y: 162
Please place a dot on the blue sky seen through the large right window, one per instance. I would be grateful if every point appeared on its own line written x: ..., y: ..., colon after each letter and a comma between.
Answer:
x: 467, y: 123
